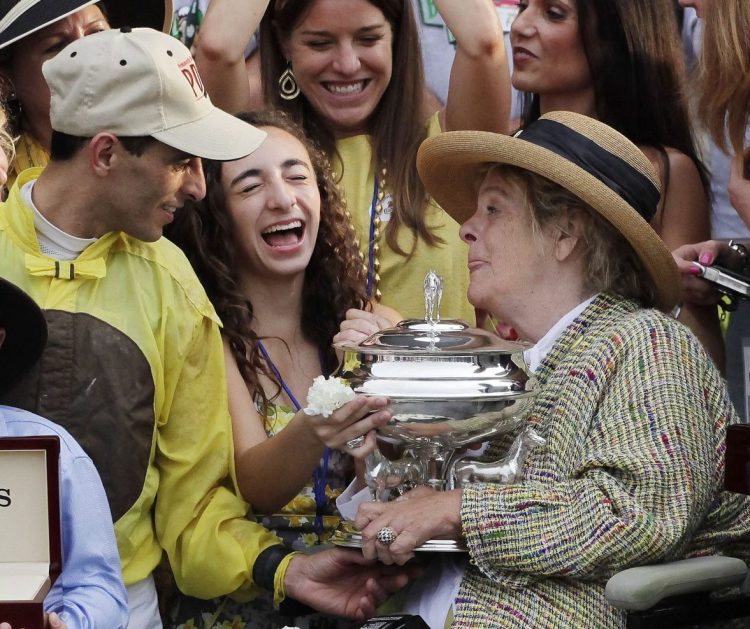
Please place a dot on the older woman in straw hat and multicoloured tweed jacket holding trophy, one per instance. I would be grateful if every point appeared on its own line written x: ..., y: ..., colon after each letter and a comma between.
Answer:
x: 633, y: 411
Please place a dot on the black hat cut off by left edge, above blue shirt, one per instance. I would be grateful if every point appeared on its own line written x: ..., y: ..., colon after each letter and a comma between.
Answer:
x: 25, y: 333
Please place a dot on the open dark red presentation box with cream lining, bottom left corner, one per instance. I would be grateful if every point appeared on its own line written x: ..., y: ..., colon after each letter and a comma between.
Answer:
x: 30, y: 549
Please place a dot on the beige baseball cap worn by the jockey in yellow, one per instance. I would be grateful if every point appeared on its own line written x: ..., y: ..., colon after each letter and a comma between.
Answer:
x: 136, y: 82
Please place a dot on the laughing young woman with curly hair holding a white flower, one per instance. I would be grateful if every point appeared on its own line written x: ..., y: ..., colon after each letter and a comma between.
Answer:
x: 273, y: 248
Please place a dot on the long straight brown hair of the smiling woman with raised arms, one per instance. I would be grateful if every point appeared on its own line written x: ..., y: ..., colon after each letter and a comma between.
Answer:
x: 397, y: 127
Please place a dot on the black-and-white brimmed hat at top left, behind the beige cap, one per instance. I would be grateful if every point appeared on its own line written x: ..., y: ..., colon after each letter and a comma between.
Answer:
x: 19, y: 18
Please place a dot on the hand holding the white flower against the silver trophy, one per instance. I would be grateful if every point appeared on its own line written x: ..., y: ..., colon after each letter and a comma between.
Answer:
x: 352, y: 427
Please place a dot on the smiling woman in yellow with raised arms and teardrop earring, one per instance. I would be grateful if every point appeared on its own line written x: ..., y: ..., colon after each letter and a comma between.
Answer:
x: 350, y: 72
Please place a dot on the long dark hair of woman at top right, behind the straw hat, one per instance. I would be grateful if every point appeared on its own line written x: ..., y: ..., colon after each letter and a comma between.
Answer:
x: 638, y: 72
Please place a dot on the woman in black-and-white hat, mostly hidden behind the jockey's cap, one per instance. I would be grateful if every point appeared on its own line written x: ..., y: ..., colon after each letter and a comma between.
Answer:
x: 33, y: 31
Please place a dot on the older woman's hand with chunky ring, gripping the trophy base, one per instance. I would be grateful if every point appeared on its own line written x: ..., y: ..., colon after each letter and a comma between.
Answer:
x: 391, y: 531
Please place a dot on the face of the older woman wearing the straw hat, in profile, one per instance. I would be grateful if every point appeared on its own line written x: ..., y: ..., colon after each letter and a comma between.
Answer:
x: 507, y: 260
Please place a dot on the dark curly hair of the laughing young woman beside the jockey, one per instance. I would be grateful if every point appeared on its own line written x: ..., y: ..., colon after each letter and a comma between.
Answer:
x: 334, y: 278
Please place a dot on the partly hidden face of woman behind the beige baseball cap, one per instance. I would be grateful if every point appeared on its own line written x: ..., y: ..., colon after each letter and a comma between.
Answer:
x: 24, y: 70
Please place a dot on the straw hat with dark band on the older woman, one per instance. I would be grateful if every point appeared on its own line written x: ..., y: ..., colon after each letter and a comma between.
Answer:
x: 590, y: 159
